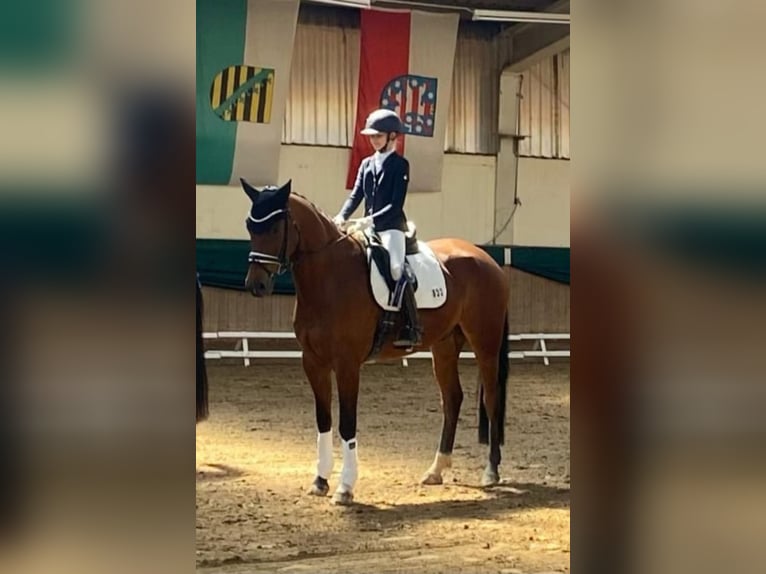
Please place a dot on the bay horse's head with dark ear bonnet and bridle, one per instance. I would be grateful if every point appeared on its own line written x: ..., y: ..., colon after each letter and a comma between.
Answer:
x: 273, y: 238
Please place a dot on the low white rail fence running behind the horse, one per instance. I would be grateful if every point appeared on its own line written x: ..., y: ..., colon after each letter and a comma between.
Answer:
x: 538, y: 341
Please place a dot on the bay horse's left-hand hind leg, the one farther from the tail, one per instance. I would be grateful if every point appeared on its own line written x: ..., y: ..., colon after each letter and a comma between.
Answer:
x: 445, y: 362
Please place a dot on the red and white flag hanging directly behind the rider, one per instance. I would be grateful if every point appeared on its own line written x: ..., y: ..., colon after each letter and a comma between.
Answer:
x: 406, y: 65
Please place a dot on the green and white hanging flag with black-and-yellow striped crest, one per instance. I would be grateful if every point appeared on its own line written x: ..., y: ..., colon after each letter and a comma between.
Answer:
x: 244, y: 50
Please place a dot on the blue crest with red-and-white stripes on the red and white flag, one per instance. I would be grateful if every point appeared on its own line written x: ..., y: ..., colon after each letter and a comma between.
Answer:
x: 414, y: 99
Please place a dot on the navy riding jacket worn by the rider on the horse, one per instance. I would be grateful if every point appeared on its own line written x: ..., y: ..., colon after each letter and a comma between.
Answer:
x: 379, y: 190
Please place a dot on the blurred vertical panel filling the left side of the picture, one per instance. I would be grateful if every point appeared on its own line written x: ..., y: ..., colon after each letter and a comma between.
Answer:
x: 96, y: 261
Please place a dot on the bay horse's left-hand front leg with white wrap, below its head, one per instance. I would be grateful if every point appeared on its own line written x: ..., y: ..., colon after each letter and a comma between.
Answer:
x: 318, y: 375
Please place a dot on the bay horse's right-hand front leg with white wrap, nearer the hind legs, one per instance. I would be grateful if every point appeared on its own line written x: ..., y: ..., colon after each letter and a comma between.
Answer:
x: 347, y: 377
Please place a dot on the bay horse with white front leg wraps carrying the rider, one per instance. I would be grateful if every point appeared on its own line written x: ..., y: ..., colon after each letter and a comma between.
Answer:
x: 336, y: 316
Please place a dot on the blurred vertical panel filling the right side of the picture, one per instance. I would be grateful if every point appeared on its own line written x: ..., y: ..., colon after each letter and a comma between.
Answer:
x: 669, y: 277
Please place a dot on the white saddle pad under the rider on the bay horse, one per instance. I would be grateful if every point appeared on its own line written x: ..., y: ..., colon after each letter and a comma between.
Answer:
x: 432, y: 287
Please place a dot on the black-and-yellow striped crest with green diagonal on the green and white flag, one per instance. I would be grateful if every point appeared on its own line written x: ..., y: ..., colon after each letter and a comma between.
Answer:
x: 243, y: 93
